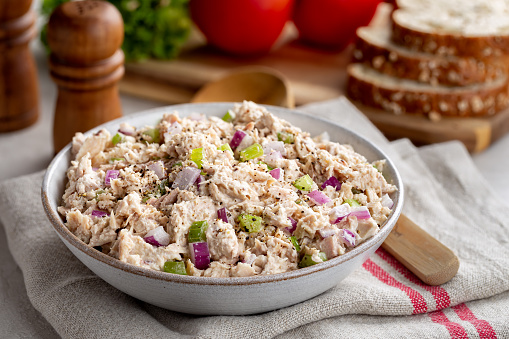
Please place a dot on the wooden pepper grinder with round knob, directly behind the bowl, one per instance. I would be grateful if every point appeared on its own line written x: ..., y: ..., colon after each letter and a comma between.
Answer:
x: 86, y: 64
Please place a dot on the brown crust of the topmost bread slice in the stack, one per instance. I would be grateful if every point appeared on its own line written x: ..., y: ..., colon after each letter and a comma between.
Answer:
x: 448, y: 44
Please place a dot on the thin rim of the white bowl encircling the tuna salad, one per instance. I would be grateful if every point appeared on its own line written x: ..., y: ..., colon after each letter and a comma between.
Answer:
x: 67, y: 236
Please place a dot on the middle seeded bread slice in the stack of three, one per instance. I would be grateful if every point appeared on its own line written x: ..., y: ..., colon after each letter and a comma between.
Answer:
x: 375, y: 48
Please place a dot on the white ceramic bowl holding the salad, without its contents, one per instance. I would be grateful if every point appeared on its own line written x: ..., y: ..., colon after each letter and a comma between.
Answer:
x: 205, y: 295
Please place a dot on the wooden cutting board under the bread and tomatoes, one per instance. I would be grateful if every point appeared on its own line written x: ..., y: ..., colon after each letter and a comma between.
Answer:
x: 313, y: 76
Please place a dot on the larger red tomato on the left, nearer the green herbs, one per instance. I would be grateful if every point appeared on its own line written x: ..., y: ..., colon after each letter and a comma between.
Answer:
x: 241, y: 26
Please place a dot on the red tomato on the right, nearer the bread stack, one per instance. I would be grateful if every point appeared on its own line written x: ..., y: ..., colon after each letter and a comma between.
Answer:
x: 331, y: 23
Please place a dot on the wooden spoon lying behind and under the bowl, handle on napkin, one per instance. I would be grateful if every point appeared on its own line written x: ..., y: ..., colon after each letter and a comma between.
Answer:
x: 429, y: 259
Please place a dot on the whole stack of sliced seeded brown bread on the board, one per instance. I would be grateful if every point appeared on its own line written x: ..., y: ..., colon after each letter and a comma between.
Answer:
x: 435, y: 57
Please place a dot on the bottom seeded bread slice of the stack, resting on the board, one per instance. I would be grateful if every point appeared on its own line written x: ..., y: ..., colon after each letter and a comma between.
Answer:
x: 400, y: 96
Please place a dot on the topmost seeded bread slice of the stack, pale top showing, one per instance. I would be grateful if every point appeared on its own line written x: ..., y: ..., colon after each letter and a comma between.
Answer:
x: 473, y: 28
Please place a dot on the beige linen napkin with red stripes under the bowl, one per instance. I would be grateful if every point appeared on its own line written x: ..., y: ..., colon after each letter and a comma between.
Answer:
x: 445, y: 194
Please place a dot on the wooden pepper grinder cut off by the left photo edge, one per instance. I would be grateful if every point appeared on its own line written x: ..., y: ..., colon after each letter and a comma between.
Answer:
x: 19, y: 95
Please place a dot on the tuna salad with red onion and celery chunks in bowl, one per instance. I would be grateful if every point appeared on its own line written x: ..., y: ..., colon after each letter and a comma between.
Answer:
x: 236, y: 196
